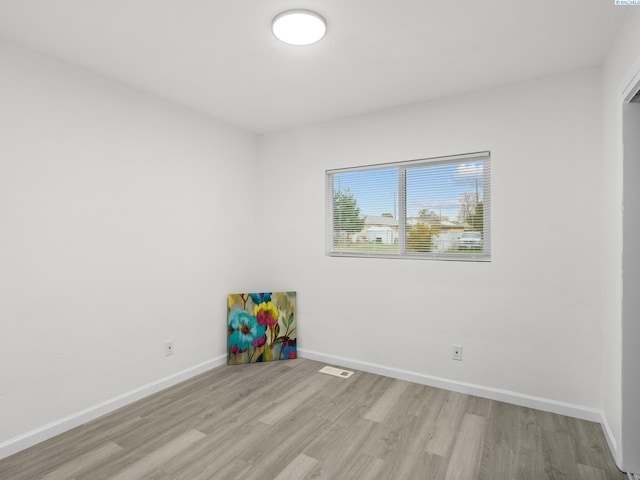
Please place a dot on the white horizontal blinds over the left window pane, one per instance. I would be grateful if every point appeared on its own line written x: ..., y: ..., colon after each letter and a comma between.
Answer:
x: 365, y: 211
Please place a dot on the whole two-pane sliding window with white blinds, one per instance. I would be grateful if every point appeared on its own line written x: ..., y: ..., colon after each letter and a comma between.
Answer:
x: 435, y: 208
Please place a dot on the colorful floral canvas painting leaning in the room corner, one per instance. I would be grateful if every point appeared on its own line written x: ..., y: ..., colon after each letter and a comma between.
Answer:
x: 261, y: 327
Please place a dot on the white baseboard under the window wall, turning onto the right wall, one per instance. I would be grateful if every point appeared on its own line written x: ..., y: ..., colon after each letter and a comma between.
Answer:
x: 515, y: 398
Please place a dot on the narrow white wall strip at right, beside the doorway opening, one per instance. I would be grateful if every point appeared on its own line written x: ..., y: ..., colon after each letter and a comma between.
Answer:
x: 621, y: 57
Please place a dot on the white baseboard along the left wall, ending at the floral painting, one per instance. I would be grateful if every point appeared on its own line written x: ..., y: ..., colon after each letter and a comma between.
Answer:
x: 14, y: 445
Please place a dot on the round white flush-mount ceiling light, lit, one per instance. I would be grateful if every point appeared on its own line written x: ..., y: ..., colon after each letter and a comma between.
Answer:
x: 299, y: 27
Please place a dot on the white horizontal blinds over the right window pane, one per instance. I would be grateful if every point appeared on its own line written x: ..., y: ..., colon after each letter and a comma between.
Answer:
x: 444, y: 199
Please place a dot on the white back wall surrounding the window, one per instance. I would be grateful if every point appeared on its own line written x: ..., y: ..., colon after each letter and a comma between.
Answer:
x: 529, y: 321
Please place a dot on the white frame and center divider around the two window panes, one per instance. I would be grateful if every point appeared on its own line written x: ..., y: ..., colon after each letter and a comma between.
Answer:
x: 481, y: 256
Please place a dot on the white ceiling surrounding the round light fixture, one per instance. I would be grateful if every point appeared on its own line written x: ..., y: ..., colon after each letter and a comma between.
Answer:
x: 219, y: 56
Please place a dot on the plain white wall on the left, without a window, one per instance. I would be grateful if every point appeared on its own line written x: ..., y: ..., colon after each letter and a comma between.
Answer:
x: 122, y: 222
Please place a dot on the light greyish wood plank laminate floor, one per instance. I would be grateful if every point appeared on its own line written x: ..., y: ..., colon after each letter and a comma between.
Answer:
x: 286, y: 421
